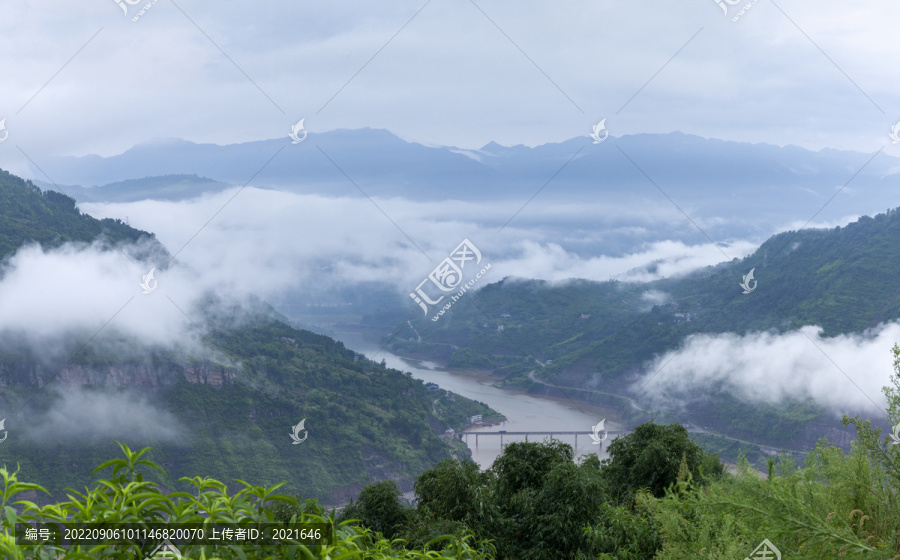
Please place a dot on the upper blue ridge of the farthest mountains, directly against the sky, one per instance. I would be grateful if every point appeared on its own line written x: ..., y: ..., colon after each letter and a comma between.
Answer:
x: 396, y: 167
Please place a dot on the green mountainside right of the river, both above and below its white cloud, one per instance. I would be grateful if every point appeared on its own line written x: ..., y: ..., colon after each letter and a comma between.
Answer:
x: 601, y: 335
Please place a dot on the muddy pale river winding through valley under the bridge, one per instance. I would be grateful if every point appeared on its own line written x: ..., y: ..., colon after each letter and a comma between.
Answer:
x: 524, y: 412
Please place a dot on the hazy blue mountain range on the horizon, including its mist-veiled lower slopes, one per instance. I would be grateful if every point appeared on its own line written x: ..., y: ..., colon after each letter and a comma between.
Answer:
x: 768, y: 187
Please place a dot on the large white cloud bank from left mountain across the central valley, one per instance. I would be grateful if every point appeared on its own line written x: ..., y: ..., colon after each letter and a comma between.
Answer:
x: 269, y: 243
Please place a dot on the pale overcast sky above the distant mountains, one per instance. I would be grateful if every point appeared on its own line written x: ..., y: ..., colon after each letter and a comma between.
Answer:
x: 82, y: 77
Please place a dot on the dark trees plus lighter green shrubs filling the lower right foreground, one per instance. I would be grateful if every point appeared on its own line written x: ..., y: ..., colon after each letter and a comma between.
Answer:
x: 658, y: 497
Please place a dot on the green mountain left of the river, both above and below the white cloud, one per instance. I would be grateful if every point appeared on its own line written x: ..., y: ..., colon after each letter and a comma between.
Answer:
x: 234, y: 401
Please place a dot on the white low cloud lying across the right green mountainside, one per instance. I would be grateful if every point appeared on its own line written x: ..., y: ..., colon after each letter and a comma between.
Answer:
x: 846, y: 372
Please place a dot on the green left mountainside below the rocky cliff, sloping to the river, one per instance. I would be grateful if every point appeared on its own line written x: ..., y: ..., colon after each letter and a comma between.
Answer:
x: 364, y: 421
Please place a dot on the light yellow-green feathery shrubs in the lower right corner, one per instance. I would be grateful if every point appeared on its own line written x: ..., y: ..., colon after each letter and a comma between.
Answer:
x: 809, y: 512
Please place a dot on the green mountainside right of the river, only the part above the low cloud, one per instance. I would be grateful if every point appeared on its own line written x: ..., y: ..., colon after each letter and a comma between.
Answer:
x: 844, y: 280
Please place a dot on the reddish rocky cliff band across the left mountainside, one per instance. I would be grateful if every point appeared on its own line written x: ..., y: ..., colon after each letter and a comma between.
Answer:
x: 126, y: 375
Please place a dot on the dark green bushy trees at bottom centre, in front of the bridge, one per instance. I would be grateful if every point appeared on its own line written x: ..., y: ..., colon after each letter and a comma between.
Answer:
x: 536, y: 503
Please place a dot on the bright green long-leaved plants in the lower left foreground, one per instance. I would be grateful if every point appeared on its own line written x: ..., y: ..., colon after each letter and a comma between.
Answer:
x: 126, y: 498
